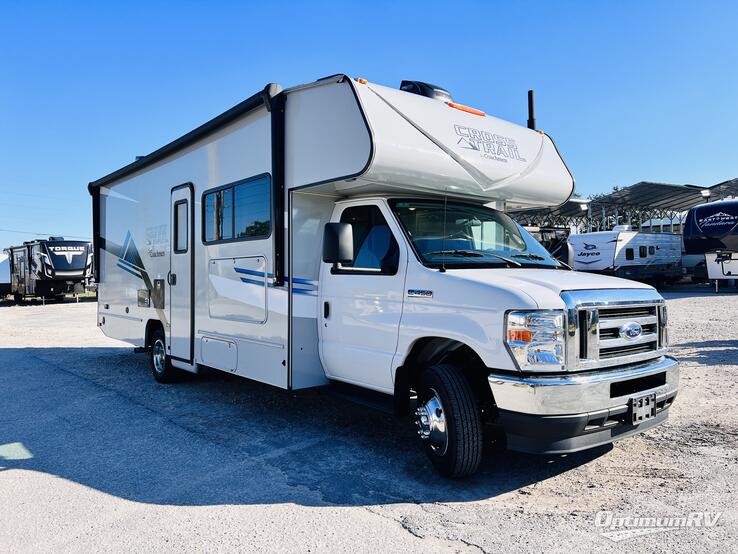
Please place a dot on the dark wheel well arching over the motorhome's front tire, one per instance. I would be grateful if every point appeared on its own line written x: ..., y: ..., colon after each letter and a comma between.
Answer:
x: 432, y: 350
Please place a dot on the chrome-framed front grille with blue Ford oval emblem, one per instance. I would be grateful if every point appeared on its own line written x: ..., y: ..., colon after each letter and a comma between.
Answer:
x: 597, y: 321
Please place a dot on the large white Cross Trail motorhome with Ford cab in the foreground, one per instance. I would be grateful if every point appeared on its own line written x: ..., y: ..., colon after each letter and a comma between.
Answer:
x: 338, y: 233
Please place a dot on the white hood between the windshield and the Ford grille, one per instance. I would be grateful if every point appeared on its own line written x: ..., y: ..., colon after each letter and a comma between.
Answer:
x: 544, y: 286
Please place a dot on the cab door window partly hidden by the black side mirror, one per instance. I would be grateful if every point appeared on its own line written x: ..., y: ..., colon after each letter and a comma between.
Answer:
x: 375, y: 248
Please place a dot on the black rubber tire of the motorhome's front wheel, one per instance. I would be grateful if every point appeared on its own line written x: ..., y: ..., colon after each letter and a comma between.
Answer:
x: 463, y: 419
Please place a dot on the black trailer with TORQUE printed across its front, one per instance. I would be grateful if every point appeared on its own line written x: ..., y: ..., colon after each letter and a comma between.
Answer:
x: 49, y: 268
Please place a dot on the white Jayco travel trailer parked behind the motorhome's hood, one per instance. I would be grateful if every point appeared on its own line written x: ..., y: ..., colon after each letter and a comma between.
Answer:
x: 648, y: 257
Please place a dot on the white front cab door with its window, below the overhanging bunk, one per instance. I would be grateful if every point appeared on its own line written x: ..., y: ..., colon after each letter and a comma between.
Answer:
x: 361, y: 301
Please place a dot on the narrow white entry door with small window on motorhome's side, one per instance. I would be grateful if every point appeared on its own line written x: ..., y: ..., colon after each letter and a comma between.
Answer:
x: 181, y: 276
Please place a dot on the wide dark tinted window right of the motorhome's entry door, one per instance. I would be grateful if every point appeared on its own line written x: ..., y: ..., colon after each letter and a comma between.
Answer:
x: 239, y: 211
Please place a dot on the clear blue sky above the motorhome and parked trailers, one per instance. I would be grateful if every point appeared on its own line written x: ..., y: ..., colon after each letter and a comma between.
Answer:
x: 629, y: 90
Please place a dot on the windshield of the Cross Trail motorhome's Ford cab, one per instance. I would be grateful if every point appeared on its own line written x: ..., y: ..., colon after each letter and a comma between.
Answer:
x: 469, y: 236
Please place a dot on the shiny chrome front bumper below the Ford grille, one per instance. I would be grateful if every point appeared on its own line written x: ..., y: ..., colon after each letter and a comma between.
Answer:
x: 578, y: 393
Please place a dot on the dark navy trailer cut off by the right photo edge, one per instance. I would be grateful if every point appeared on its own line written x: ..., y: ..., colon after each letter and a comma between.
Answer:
x: 710, y: 229
